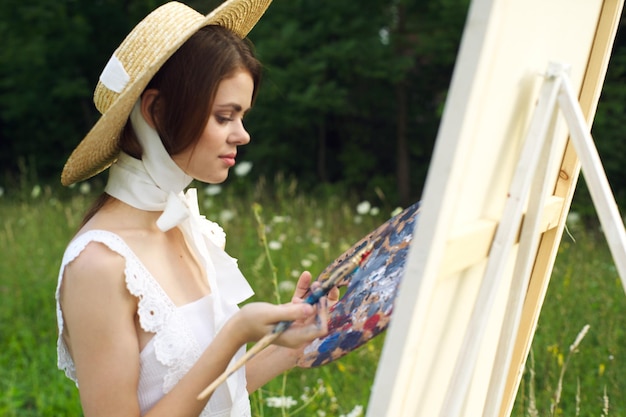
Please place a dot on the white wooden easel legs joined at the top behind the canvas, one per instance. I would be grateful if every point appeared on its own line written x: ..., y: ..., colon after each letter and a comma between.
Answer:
x: 532, y: 191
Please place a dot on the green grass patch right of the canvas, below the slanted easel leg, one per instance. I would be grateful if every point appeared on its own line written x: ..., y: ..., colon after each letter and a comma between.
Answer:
x: 584, y: 289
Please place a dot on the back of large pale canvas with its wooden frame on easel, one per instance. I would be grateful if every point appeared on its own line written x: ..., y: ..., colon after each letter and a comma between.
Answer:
x: 469, y: 248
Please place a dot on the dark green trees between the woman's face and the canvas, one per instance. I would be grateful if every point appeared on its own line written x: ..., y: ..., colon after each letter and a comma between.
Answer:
x: 345, y: 82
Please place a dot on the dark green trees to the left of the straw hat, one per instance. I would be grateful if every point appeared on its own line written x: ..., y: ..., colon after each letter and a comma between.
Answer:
x: 51, y: 56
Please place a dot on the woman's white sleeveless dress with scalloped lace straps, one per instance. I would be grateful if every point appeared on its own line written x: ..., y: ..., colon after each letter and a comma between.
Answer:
x: 180, y: 333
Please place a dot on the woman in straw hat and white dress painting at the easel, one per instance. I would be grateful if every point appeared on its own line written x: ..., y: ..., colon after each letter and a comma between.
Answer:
x: 147, y: 298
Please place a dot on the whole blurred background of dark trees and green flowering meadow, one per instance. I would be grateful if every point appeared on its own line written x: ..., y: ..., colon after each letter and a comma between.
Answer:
x: 343, y: 130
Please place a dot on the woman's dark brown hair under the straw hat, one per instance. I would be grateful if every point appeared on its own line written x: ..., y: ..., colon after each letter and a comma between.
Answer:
x: 187, y: 84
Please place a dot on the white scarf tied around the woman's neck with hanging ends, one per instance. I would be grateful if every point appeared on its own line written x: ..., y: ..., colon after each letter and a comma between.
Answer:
x: 156, y: 183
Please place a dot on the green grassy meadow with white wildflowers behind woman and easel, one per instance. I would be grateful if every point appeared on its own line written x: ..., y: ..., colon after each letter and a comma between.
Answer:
x: 276, y: 232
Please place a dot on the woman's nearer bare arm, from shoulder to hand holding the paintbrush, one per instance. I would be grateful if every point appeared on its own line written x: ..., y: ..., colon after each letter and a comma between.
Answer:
x: 99, y: 315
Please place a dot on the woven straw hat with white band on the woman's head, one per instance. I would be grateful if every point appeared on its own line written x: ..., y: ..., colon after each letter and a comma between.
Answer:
x: 133, y: 65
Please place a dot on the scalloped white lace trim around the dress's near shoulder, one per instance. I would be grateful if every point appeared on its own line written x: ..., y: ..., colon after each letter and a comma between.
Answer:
x: 174, y: 345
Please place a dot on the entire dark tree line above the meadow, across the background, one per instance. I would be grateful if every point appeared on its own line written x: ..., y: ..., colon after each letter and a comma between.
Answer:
x: 352, y: 92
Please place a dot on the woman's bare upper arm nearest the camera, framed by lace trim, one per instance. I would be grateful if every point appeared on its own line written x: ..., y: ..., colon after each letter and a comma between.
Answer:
x: 100, y: 332
